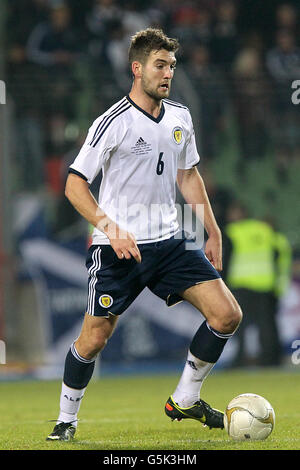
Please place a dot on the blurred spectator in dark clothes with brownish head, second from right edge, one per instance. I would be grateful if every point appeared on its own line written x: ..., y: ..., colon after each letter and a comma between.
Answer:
x: 252, y: 103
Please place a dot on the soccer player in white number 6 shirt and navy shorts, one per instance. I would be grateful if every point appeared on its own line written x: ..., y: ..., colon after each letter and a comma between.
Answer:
x: 144, y: 144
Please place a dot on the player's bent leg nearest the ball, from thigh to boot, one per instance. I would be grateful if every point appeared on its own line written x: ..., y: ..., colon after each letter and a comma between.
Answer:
x: 223, y: 315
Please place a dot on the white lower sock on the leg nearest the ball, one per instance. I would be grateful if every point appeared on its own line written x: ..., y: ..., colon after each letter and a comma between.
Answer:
x: 191, y: 380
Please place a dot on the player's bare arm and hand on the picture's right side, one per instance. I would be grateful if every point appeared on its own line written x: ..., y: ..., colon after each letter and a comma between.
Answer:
x: 192, y: 188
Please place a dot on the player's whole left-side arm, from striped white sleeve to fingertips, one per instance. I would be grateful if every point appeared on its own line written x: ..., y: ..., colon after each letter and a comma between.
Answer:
x: 103, y: 136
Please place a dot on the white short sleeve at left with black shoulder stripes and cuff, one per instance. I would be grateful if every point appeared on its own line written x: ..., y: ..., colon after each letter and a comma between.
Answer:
x: 95, y: 151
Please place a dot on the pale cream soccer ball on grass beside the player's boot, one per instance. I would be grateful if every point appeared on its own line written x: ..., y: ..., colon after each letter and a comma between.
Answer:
x: 249, y: 416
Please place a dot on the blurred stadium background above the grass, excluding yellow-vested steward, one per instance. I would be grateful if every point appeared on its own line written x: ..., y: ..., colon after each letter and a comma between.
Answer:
x: 63, y: 64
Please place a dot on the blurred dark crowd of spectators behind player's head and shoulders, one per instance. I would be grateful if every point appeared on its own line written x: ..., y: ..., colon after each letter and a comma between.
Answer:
x: 67, y: 63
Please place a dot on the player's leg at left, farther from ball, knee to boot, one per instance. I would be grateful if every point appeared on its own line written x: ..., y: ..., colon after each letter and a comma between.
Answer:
x: 79, y: 368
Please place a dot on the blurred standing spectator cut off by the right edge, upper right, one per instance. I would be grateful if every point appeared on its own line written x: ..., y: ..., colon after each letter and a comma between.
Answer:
x: 283, y: 64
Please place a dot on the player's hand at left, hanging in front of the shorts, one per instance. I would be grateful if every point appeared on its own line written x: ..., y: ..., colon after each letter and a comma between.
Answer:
x: 123, y: 243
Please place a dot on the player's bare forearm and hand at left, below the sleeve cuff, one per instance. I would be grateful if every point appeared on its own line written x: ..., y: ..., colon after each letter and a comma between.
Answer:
x: 78, y: 193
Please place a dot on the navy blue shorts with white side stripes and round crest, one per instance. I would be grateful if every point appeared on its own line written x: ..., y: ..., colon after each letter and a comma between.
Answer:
x: 168, y: 268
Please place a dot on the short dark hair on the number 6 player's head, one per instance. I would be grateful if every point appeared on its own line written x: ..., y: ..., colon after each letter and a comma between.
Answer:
x: 150, y: 39
